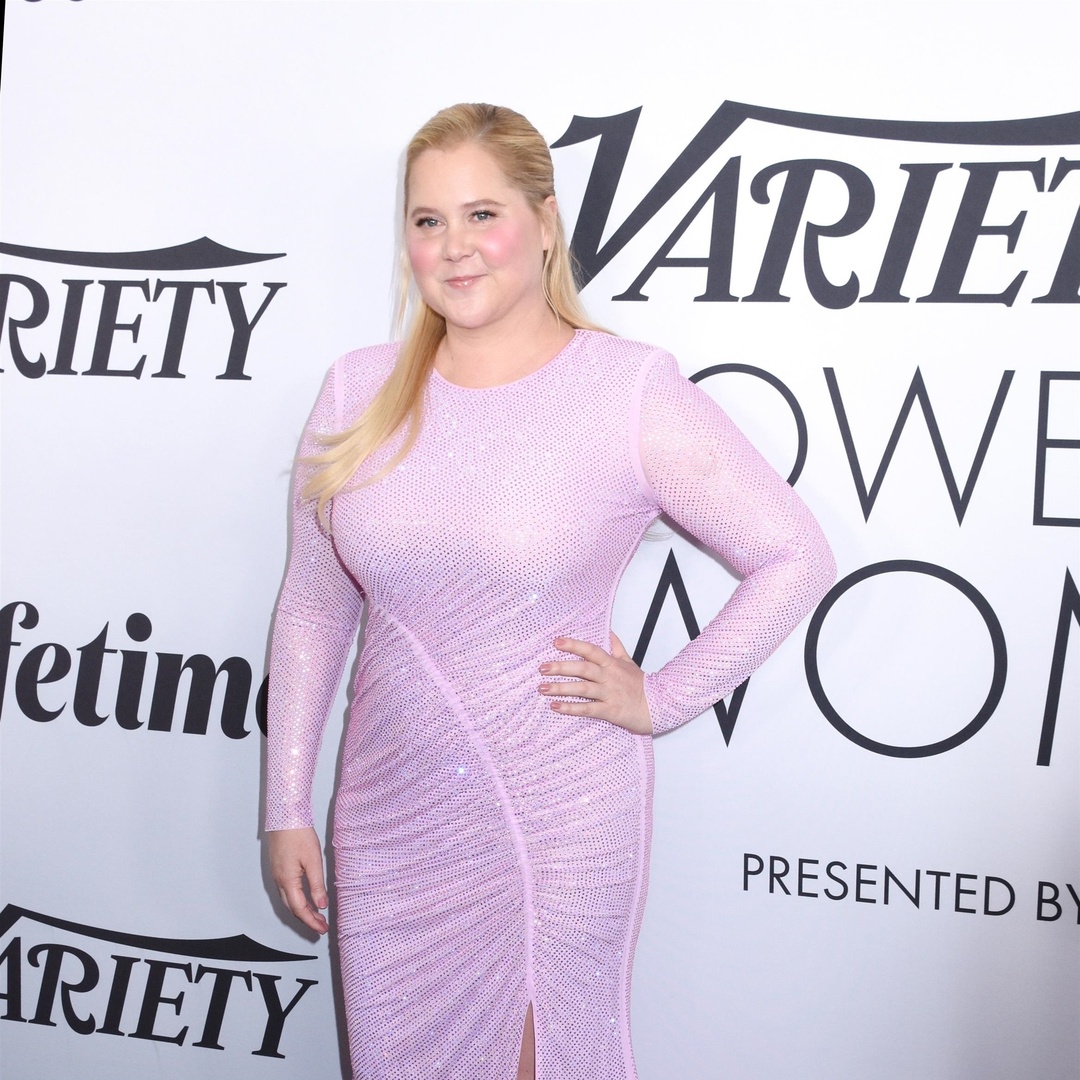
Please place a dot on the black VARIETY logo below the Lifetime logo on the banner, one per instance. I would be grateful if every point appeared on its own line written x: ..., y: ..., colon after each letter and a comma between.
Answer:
x: 158, y: 990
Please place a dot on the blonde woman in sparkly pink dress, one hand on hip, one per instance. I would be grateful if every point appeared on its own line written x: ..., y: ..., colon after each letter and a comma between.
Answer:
x: 481, y: 489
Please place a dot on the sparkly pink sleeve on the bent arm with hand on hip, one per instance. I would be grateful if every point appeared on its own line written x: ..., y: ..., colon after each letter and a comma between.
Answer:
x: 704, y: 474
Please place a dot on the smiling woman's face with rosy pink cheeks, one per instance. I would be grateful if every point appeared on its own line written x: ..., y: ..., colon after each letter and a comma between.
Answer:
x: 475, y: 242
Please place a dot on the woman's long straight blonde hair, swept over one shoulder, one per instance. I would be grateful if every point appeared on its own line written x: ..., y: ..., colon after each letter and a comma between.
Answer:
x: 523, y: 156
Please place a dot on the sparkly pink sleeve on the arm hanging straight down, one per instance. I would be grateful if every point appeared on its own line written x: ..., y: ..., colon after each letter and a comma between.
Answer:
x: 315, y: 628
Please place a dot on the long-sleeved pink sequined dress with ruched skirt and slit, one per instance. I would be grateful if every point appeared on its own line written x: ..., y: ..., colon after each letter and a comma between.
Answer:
x: 491, y: 853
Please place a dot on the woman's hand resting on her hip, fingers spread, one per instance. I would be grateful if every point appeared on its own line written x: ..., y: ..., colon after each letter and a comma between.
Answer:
x: 613, y: 683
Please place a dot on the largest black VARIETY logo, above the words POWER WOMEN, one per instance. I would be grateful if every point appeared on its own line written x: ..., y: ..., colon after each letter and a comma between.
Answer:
x: 937, y: 211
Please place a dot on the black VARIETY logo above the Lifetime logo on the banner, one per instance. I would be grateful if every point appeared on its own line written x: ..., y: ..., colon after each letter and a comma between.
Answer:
x: 62, y: 344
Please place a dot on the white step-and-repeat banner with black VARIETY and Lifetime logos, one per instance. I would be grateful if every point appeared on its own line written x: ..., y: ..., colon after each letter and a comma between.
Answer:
x: 858, y: 227
